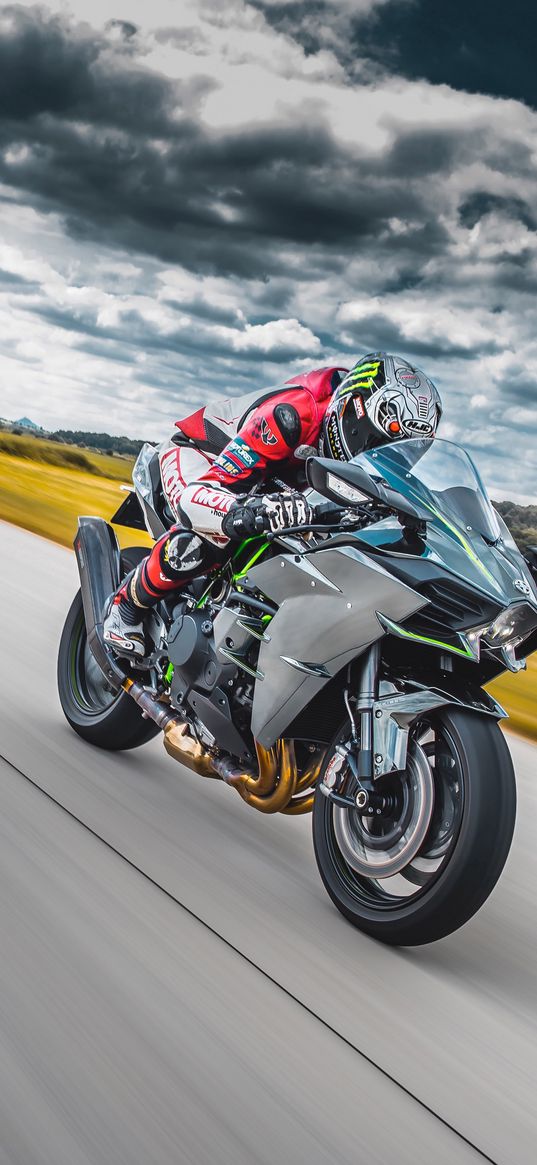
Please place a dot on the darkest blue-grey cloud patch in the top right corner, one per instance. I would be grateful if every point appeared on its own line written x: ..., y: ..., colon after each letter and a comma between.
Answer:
x: 482, y: 47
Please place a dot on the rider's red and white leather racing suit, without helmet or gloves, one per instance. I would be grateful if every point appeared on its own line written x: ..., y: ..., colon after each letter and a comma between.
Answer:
x: 229, y: 447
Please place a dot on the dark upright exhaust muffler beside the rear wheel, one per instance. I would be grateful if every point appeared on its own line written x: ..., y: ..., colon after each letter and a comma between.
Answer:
x: 98, y: 560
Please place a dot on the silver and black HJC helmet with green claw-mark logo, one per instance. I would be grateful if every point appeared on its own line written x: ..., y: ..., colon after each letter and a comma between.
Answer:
x: 381, y: 399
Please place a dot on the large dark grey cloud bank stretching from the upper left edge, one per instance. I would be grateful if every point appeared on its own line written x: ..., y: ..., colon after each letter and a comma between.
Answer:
x: 91, y: 135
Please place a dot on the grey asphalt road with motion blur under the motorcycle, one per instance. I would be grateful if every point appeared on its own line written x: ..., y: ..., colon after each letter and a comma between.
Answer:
x: 176, y: 986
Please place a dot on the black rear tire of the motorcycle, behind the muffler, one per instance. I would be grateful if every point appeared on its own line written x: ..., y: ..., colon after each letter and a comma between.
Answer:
x: 102, y: 717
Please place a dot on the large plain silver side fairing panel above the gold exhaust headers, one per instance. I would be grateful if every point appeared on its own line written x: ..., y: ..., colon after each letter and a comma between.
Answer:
x: 328, y: 603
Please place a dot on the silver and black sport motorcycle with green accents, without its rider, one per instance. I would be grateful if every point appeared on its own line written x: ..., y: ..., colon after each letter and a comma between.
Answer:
x: 336, y: 668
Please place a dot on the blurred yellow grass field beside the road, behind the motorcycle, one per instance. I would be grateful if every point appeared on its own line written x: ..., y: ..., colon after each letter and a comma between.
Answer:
x: 47, y: 499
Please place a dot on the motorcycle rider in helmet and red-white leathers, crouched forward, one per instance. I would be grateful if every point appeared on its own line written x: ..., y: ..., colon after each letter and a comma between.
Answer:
x: 227, y: 448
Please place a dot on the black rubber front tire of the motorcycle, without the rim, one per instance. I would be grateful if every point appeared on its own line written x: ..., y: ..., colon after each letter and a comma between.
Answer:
x: 472, y: 862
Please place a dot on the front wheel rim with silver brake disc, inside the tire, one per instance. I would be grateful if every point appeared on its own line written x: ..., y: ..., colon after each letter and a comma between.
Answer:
x: 397, y: 863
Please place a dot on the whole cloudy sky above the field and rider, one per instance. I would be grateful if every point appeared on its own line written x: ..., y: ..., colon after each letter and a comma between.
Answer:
x: 202, y: 197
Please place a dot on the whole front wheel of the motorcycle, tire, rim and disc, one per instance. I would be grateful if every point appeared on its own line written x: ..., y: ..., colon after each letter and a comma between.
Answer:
x: 429, y: 862
